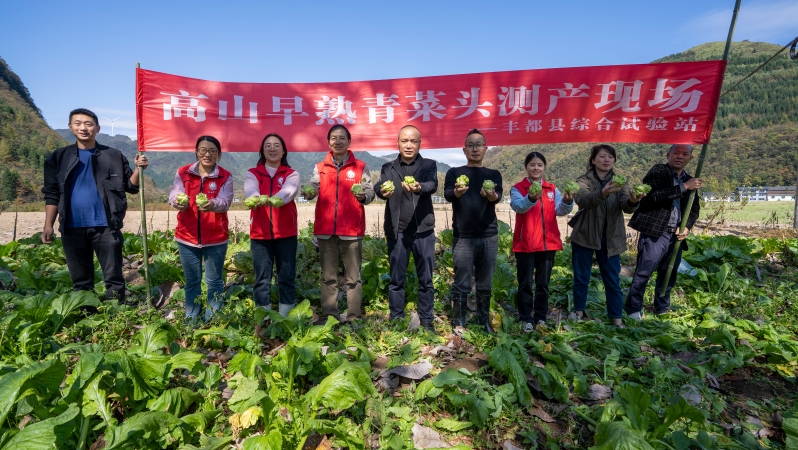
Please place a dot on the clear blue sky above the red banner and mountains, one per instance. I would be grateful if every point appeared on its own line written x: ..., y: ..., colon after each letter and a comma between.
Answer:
x: 83, y: 54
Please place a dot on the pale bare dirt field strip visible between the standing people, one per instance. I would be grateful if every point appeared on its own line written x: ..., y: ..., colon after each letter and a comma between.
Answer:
x: 30, y: 223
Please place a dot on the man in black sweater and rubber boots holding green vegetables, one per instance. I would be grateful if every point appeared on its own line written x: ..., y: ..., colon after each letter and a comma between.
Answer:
x: 473, y: 191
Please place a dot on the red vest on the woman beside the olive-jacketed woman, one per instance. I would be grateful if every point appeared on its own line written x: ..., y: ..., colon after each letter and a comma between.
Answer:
x: 536, y: 230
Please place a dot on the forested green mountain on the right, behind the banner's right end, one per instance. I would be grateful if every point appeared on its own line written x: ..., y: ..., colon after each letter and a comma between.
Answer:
x: 754, y: 142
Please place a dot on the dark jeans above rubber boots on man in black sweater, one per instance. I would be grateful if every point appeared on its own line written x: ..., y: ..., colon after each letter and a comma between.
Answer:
x: 475, y: 256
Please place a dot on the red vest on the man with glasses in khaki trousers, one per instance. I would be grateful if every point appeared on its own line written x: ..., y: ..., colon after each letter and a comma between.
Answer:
x: 337, y: 210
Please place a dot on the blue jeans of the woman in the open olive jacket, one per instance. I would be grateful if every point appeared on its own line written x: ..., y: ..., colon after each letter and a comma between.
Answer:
x: 610, y: 268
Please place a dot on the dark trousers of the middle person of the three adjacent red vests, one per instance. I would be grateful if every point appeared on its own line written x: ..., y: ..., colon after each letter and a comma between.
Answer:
x: 267, y: 253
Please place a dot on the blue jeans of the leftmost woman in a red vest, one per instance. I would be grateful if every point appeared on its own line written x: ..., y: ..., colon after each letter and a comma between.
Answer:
x: 191, y: 259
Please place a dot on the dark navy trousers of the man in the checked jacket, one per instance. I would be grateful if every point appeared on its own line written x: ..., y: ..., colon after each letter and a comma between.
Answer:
x: 653, y: 253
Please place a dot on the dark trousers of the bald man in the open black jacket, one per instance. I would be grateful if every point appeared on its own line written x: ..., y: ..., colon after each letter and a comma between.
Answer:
x: 422, y: 246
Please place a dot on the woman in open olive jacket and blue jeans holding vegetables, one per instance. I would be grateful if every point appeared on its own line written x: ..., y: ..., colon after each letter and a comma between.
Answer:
x: 603, y: 198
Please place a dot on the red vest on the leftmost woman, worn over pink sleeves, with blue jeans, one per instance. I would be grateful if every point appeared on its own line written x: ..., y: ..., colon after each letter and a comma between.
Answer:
x: 201, y: 227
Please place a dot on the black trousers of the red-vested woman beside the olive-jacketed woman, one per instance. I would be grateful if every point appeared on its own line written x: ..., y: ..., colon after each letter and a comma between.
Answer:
x: 533, y: 306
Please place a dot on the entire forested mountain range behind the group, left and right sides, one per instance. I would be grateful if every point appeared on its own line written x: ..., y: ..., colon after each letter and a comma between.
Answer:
x: 755, y: 140
